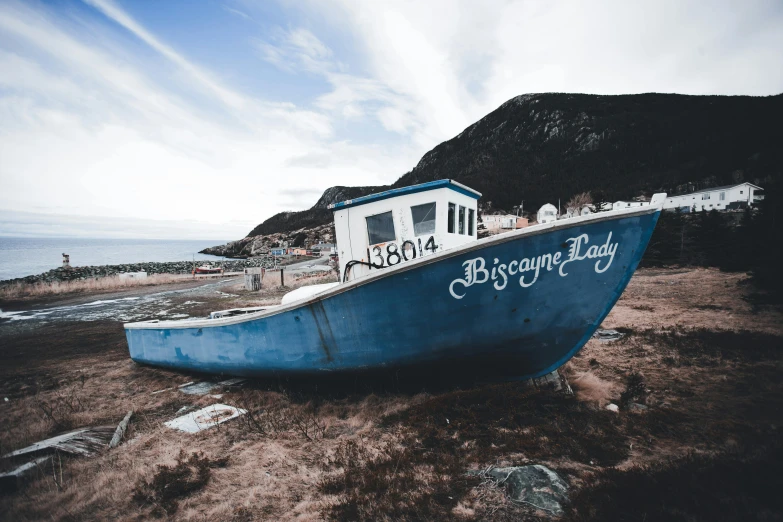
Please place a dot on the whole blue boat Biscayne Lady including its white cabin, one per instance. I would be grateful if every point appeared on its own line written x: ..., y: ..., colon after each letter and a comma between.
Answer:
x: 419, y: 289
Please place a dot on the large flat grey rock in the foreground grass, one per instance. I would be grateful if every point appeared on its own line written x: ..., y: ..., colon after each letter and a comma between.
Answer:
x: 535, y: 485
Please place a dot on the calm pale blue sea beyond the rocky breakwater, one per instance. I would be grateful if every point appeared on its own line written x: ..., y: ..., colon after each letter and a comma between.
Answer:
x: 21, y: 257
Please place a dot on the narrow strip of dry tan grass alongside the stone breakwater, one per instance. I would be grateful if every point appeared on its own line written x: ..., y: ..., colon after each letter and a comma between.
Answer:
x: 97, y: 284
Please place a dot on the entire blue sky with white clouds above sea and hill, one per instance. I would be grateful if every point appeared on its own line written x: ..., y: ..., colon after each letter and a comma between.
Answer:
x: 201, y: 119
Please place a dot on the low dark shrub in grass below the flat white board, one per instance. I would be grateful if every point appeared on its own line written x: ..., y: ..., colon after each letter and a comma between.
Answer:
x: 171, y: 483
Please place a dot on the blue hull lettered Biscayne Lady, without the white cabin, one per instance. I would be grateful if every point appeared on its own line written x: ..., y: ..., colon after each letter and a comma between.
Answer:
x: 515, y: 306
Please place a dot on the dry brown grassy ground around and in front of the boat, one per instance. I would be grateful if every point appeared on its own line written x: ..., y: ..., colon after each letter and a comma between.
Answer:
x: 698, y: 352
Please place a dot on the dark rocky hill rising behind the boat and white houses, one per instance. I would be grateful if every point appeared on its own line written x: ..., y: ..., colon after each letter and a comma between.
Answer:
x: 543, y: 147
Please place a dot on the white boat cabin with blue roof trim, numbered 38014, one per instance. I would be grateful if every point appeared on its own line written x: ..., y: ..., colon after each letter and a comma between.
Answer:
x: 391, y: 227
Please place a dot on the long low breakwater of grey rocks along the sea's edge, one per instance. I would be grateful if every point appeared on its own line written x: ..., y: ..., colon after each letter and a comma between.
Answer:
x: 77, y: 273
